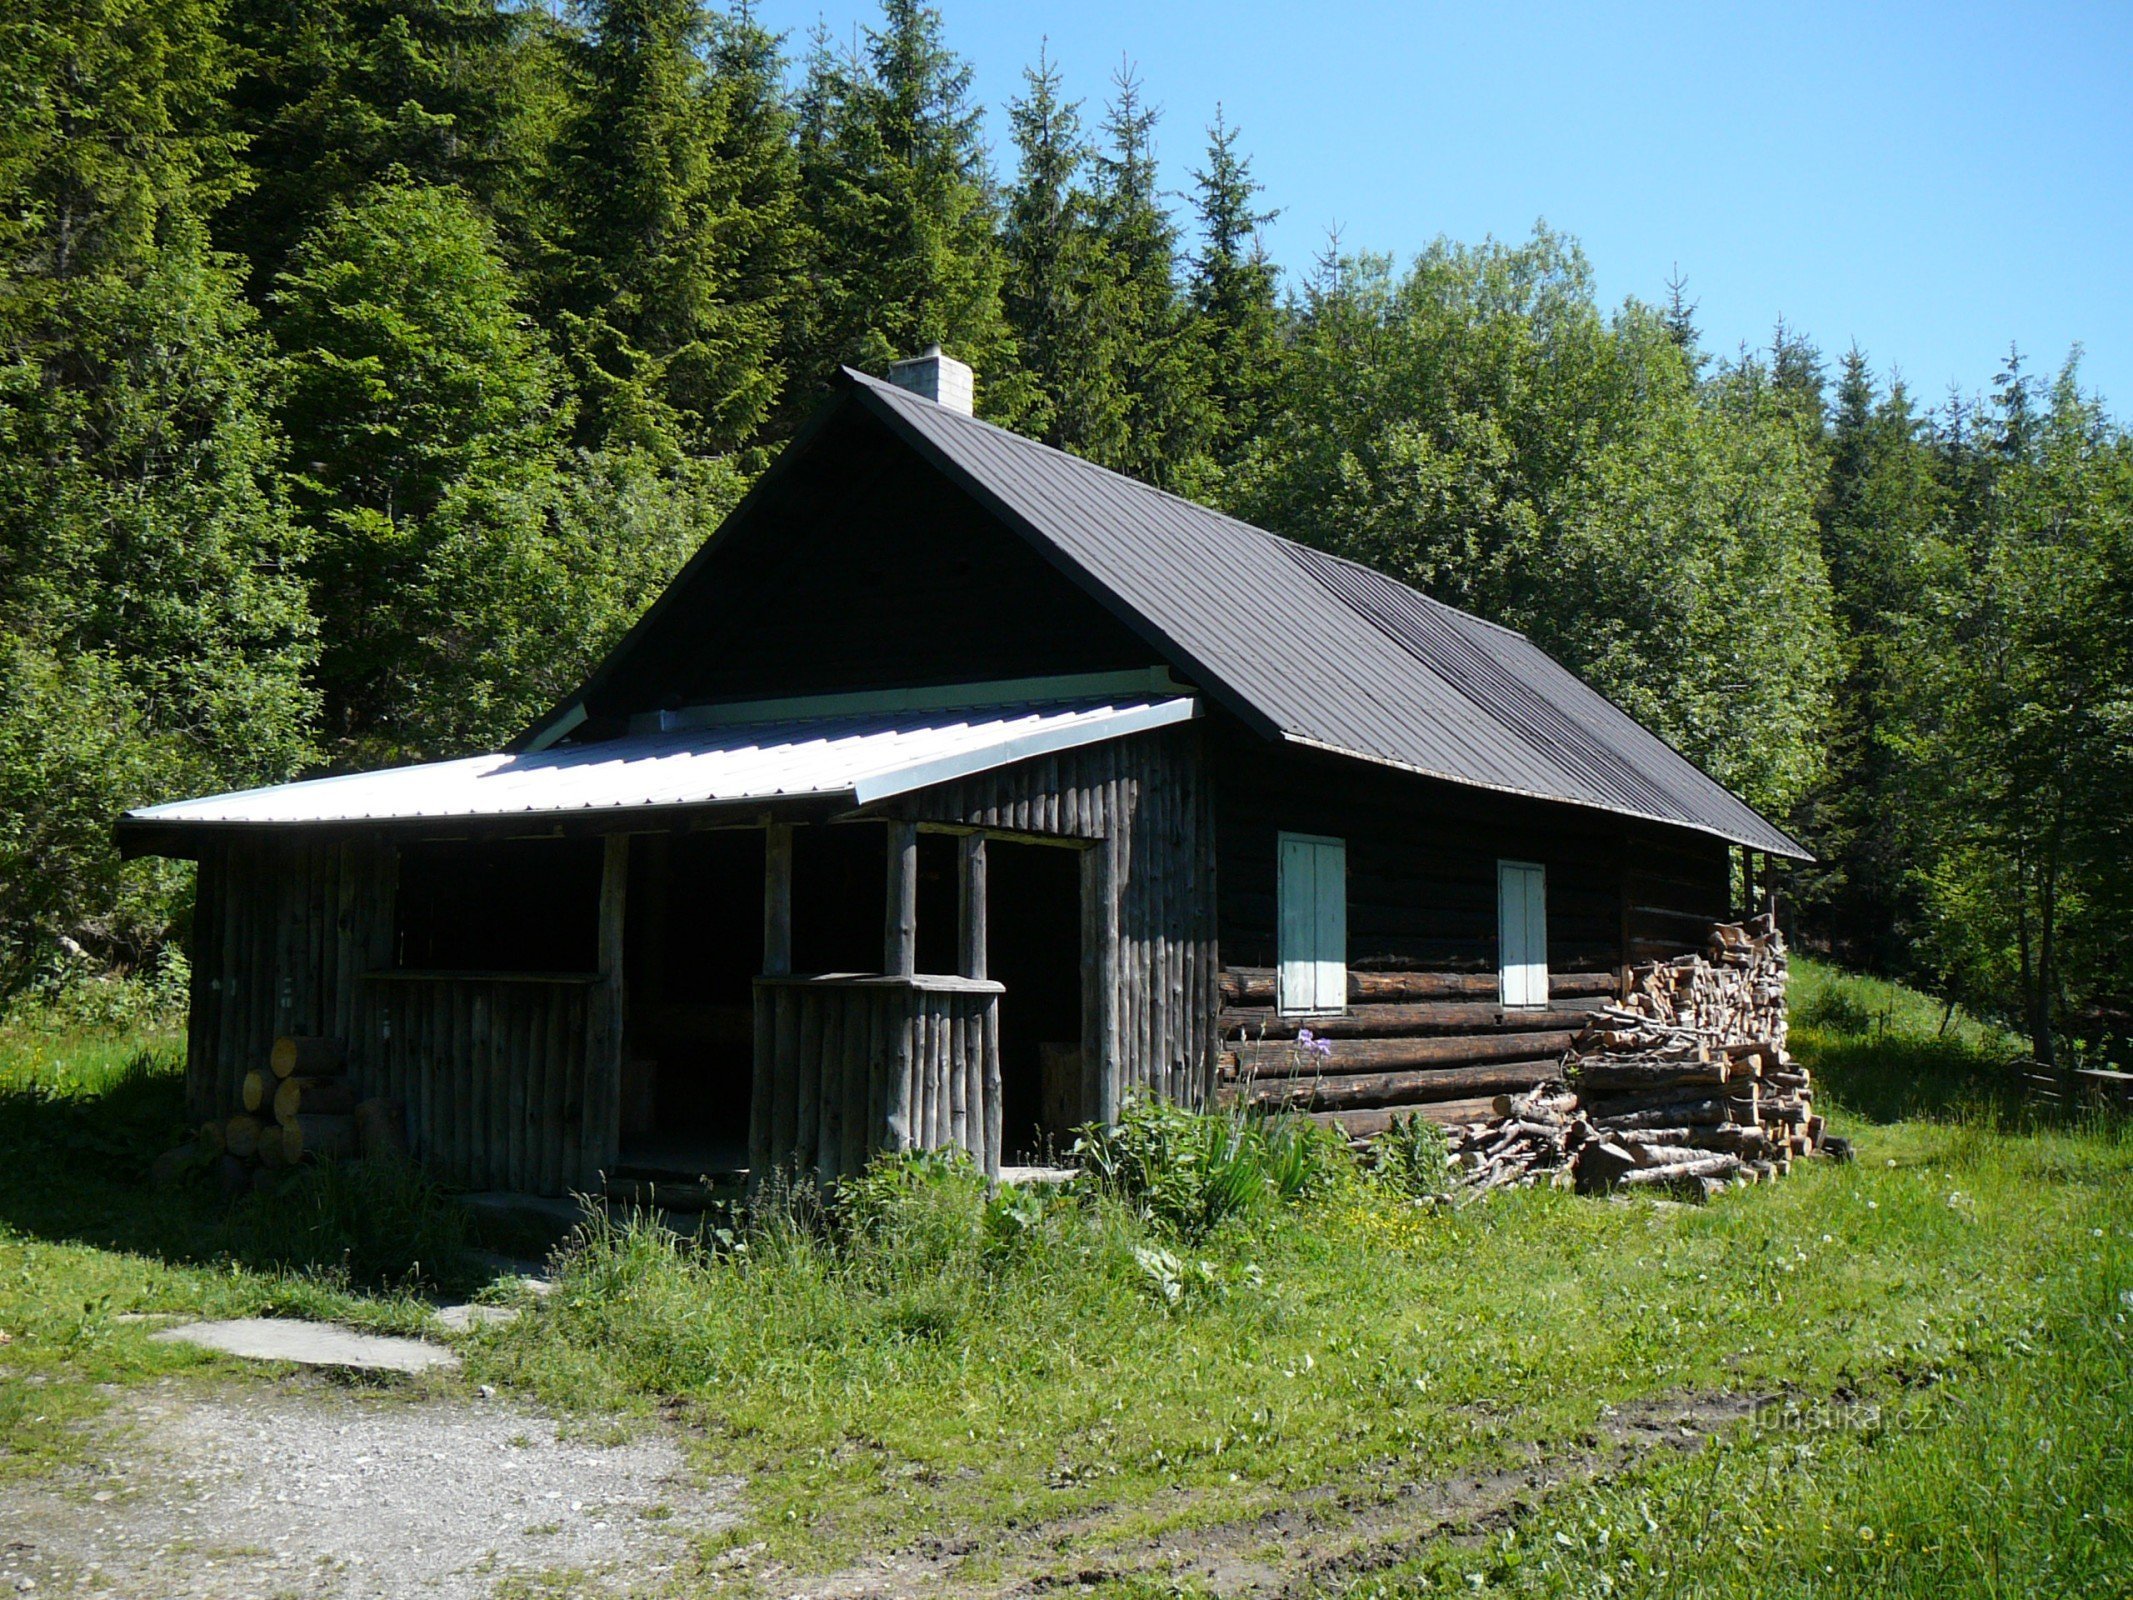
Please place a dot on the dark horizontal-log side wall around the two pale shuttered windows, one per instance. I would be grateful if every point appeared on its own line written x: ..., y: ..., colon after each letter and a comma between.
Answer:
x: 1426, y: 1027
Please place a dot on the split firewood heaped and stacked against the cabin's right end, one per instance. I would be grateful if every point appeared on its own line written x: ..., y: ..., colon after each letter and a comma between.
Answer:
x: 1686, y: 1087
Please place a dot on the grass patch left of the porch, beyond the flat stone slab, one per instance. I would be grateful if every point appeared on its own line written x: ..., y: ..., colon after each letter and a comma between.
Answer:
x: 86, y: 1245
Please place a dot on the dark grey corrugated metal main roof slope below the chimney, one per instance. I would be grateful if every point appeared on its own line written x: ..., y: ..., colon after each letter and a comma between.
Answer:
x: 1324, y: 652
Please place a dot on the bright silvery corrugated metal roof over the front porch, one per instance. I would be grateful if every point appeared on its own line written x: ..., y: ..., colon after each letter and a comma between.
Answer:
x: 865, y: 756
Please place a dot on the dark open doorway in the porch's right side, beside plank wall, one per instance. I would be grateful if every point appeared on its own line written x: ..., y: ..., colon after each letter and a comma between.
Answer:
x: 1033, y: 925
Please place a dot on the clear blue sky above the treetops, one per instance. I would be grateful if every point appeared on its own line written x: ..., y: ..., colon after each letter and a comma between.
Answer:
x: 1927, y: 180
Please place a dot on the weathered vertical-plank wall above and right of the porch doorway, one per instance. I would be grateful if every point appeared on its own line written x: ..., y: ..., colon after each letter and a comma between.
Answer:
x: 1151, y: 982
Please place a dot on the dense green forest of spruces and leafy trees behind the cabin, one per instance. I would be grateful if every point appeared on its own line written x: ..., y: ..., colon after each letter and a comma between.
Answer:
x: 368, y: 366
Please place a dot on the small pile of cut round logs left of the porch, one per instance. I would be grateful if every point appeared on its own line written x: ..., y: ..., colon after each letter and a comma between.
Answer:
x: 298, y: 1110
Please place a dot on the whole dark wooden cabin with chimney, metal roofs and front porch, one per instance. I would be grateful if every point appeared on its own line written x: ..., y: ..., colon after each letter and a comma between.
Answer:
x: 955, y: 793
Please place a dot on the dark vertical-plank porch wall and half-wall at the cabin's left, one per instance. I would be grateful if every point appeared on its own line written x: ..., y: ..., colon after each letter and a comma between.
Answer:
x: 507, y: 1081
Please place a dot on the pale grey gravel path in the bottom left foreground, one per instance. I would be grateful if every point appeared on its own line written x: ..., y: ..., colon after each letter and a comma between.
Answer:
x: 300, y: 1490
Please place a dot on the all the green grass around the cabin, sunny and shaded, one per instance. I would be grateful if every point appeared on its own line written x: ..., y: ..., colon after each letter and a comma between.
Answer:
x: 1917, y: 1366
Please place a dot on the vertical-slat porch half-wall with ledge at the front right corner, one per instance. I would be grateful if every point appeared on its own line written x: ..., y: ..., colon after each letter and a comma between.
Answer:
x: 850, y: 1066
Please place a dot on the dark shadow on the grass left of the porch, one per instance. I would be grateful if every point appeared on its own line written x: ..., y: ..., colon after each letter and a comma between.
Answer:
x: 76, y: 1168
